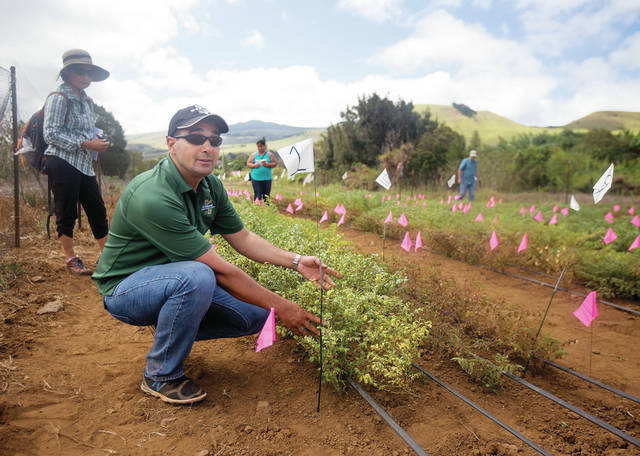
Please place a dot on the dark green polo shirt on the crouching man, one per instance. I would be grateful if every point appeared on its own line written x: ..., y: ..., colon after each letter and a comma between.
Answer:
x: 160, y: 219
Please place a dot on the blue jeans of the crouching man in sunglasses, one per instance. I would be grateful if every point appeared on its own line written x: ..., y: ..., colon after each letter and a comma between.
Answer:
x: 184, y: 303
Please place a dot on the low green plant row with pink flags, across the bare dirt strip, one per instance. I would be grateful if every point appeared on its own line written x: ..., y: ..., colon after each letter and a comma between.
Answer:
x: 576, y: 240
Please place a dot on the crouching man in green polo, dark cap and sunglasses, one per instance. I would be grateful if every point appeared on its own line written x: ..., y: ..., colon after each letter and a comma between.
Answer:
x: 157, y: 267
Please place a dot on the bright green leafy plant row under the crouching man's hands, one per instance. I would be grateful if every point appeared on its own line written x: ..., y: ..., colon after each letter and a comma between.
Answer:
x: 371, y: 334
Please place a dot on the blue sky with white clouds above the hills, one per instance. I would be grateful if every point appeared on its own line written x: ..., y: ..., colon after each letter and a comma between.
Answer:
x: 539, y: 62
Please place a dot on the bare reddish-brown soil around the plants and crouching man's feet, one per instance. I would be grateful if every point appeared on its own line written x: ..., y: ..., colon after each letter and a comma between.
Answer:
x: 69, y: 381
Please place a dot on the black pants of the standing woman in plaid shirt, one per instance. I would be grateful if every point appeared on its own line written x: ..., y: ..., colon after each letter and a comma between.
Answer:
x: 70, y: 186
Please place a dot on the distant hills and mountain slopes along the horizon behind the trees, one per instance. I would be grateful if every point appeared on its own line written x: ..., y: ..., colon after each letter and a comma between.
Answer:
x: 242, y: 136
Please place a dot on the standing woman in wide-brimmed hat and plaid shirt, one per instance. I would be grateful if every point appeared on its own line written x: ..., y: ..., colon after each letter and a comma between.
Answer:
x: 73, y: 144
